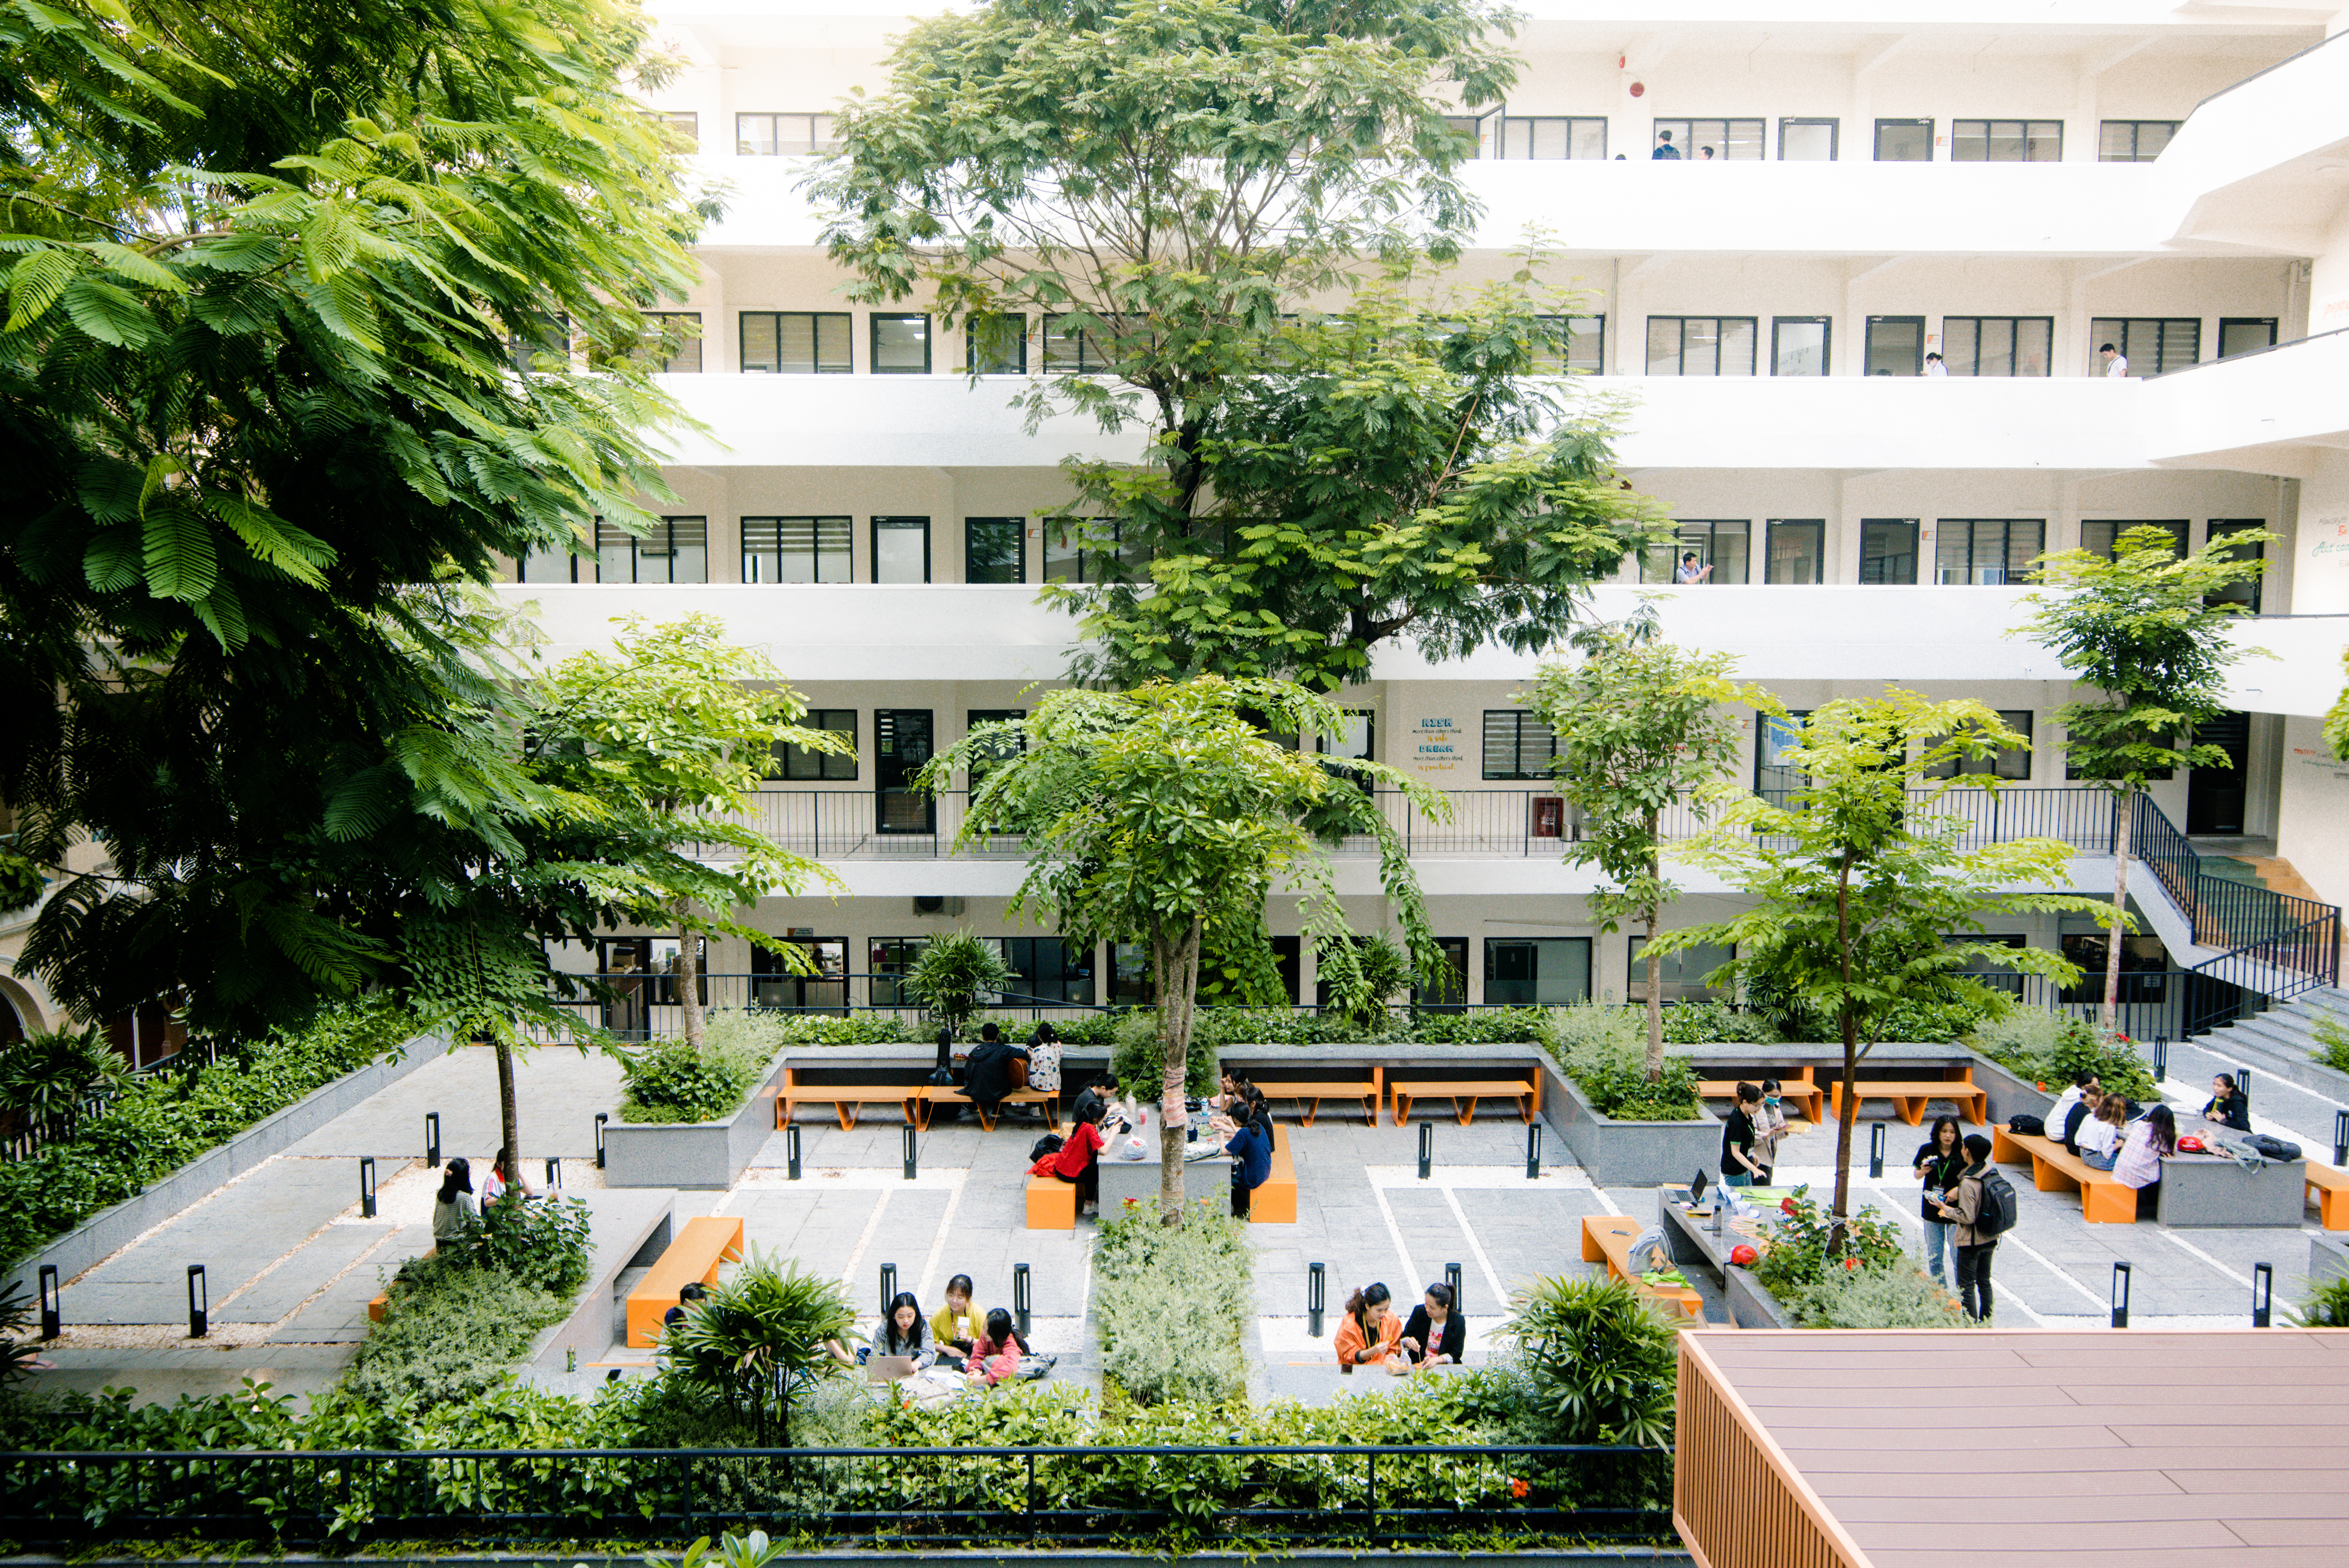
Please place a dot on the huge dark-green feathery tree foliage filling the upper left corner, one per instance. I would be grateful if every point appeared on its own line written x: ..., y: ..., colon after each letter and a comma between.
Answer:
x: 262, y: 403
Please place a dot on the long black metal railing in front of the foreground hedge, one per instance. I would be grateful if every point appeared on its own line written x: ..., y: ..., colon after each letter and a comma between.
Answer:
x: 938, y: 1496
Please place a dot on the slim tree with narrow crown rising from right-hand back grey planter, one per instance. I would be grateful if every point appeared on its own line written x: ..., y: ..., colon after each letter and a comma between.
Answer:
x: 1641, y: 729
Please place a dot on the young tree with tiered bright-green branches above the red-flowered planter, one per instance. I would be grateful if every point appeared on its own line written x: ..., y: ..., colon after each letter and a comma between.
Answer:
x: 1864, y: 898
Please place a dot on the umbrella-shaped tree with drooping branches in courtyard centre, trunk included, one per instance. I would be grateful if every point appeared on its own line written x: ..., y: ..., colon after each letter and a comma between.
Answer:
x: 1169, y: 816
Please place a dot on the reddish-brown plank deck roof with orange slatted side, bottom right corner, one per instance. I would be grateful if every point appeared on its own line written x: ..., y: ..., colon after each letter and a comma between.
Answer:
x: 2040, y: 1447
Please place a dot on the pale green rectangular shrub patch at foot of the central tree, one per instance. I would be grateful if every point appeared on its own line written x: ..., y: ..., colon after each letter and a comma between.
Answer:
x: 1171, y: 1306
